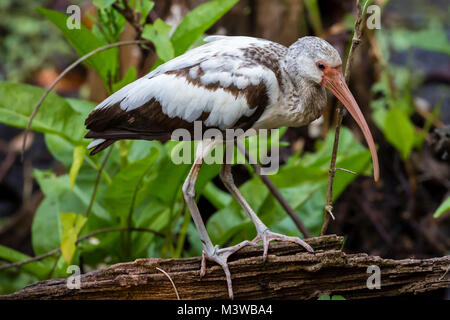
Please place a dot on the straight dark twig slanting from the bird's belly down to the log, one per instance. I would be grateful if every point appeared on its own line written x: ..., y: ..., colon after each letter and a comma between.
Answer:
x: 274, y: 190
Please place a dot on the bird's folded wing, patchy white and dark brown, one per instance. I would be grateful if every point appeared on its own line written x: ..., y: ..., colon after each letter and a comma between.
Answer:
x: 224, y: 84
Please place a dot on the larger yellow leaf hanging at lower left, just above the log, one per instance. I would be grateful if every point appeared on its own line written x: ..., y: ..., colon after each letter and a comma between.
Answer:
x: 71, y: 225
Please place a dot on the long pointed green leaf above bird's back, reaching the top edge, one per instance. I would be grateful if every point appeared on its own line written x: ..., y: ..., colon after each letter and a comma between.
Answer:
x: 196, y: 22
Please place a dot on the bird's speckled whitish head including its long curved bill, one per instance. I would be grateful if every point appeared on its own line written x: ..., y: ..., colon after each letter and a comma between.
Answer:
x: 314, y: 59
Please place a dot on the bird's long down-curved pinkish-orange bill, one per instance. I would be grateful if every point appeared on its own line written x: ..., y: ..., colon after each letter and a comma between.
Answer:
x: 334, y: 81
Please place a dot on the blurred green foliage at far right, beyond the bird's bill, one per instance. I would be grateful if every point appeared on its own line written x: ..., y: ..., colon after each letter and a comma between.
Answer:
x: 393, y: 108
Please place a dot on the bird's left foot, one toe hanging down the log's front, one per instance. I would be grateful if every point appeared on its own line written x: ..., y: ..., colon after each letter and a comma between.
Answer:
x: 220, y: 256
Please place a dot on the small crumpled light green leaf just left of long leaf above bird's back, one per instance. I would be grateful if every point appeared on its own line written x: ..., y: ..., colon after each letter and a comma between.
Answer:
x: 158, y: 33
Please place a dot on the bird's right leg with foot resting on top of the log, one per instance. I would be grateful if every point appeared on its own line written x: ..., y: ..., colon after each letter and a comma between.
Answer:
x: 263, y: 233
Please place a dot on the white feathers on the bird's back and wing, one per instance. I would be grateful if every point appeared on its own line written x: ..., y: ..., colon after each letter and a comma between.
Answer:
x: 180, y: 98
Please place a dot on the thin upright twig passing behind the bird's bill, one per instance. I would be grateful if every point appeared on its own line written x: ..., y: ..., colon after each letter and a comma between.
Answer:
x: 340, y: 114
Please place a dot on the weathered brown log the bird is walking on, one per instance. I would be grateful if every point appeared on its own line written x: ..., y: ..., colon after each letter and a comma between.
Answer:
x: 289, y: 273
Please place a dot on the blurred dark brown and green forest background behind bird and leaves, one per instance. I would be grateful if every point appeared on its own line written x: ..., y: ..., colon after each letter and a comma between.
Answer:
x: 400, y: 78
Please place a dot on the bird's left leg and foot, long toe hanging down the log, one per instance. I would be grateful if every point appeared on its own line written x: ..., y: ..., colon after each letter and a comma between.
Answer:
x: 210, y: 251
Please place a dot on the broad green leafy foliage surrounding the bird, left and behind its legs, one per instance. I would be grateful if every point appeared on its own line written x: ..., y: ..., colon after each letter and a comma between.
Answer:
x: 139, y: 186
